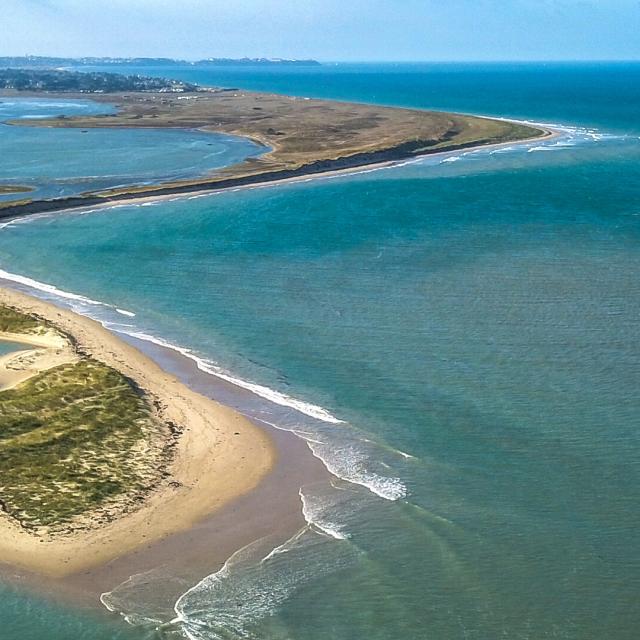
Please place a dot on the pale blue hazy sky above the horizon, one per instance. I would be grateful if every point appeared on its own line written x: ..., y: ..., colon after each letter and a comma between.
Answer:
x: 327, y: 30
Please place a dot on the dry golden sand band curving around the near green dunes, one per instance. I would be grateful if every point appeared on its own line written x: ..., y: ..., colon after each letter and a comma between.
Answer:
x: 220, y: 457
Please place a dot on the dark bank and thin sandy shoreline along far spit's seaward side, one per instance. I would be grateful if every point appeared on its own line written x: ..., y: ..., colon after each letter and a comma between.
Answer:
x: 319, y: 170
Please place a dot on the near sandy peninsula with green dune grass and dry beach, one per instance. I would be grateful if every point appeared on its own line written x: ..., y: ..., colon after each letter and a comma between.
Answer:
x: 101, y: 451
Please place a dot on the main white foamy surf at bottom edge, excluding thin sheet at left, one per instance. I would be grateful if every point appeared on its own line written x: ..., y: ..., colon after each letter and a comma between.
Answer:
x: 243, y: 598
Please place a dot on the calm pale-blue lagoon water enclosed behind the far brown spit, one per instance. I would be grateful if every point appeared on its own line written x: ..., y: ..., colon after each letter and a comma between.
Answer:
x: 63, y: 162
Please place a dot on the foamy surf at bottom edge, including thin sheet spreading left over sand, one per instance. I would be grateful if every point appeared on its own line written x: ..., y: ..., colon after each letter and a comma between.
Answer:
x: 254, y: 582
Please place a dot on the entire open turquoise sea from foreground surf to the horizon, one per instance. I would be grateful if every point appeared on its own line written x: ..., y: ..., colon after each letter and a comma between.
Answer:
x: 473, y: 321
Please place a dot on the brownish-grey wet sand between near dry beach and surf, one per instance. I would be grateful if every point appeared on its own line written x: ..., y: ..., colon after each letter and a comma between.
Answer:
x: 271, y: 511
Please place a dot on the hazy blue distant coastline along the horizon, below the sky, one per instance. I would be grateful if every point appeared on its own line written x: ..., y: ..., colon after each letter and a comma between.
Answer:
x: 45, y: 61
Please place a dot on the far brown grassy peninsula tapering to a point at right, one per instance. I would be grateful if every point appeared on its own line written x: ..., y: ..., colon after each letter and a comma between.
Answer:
x: 302, y: 136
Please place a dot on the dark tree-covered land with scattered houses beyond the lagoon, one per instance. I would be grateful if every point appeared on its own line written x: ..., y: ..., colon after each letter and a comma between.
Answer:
x: 74, y: 81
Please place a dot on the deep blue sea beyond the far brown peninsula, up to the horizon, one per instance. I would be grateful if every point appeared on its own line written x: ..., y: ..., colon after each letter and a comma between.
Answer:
x: 588, y: 93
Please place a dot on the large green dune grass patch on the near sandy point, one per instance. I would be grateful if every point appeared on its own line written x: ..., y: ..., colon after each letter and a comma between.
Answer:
x: 73, y: 440
